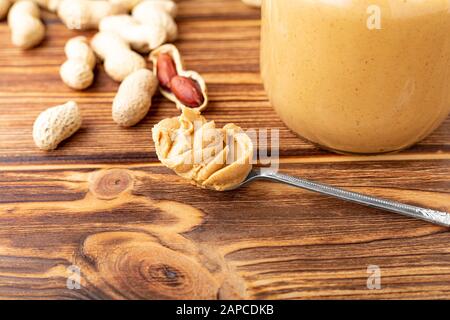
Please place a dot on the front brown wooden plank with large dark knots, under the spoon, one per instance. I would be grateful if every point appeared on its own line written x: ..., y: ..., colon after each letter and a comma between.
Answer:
x: 139, y: 231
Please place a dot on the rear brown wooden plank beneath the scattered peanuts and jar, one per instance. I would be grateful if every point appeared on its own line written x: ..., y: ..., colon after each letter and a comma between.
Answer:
x: 219, y: 38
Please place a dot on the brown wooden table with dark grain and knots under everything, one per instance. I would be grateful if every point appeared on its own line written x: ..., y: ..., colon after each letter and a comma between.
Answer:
x: 104, y: 205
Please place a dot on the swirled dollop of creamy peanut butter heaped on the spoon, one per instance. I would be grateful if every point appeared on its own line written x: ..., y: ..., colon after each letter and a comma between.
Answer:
x: 195, y: 149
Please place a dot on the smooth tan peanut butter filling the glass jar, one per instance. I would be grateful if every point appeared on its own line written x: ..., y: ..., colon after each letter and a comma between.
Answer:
x: 362, y: 76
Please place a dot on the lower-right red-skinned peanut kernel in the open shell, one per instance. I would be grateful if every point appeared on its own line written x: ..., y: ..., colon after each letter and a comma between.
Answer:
x: 187, y: 91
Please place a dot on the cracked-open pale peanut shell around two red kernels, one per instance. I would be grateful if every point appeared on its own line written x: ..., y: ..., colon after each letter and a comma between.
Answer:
x: 172, y: 50
